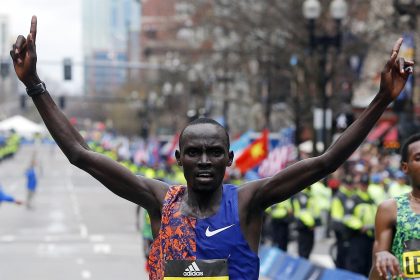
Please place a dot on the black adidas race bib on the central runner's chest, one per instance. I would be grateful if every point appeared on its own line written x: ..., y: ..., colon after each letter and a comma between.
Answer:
x: 198, y: 269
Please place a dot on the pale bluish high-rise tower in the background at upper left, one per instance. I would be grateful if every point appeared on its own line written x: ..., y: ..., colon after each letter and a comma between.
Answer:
x: 109, y: 36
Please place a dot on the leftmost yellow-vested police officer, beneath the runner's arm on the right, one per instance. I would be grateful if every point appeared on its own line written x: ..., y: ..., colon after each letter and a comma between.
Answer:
x: 281, y: 216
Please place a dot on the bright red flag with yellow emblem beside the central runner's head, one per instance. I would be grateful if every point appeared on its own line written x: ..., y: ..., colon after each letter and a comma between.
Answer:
x: 253, y: 154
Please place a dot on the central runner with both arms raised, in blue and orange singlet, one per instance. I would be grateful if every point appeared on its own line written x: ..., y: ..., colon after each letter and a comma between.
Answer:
x: 205, y: 228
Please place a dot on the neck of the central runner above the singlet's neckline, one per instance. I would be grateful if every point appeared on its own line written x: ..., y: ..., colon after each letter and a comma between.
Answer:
x: 201, y: 204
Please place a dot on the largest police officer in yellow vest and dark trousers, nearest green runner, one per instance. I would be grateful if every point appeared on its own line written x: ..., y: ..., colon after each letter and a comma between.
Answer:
x: 361, y: 222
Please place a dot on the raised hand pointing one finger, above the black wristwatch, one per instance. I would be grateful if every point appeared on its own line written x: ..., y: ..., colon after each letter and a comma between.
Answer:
x: 24, y: 57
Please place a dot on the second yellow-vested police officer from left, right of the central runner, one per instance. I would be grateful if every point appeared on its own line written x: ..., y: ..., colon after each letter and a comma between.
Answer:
x: 307, y: 214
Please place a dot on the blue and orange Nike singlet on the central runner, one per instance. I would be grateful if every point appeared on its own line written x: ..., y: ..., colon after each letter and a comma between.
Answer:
x: 216, y: 237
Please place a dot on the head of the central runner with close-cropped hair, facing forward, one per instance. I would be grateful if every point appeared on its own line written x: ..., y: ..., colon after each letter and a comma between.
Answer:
x: 204, y: 156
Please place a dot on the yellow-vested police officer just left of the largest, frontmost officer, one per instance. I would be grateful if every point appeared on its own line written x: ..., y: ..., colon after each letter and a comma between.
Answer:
x: 342, y: 206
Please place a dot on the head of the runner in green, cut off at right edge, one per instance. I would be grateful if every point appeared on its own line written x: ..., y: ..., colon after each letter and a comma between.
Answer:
x: 410, y: 159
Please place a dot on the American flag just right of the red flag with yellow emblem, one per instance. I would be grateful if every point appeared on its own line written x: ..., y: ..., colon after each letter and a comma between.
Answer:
x: 280, y: 157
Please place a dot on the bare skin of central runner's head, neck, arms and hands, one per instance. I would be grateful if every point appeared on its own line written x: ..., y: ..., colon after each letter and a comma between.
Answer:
x: 204, y: 154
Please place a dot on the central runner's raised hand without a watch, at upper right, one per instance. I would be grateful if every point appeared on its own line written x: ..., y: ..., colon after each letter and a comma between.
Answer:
x: 395, y: 73
